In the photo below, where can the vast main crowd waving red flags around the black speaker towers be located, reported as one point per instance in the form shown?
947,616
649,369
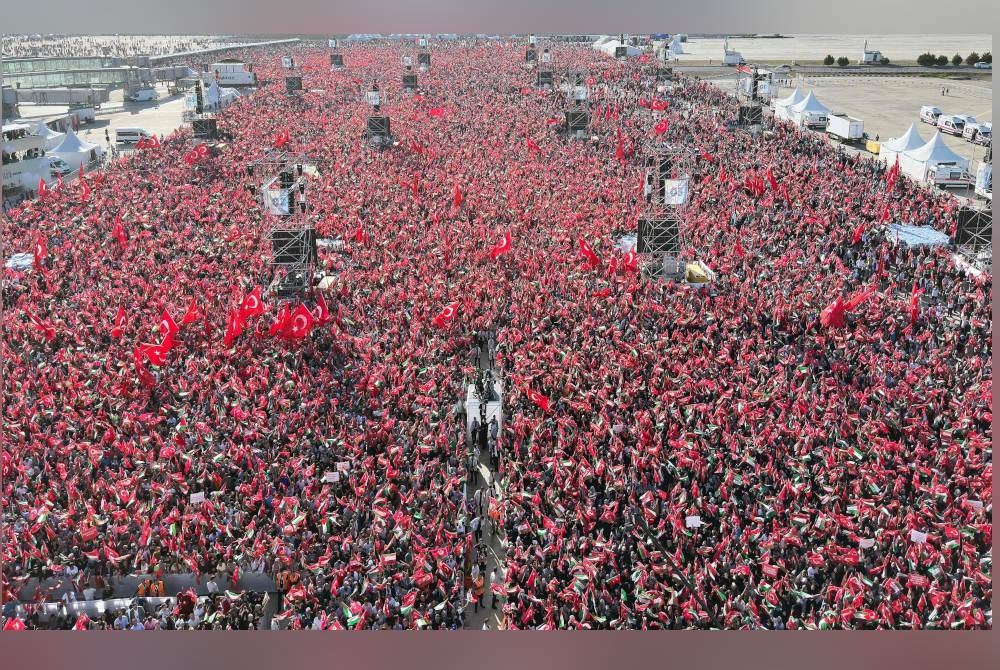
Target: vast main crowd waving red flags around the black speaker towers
805,443
